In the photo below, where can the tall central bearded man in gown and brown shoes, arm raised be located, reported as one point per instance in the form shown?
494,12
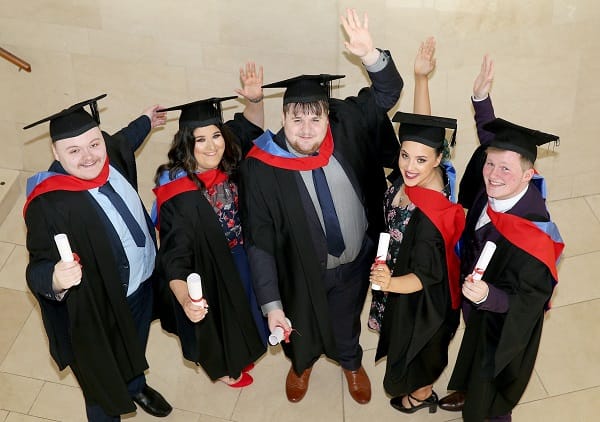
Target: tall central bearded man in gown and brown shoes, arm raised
312,197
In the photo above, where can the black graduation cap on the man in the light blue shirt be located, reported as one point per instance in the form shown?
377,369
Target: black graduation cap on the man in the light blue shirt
72,121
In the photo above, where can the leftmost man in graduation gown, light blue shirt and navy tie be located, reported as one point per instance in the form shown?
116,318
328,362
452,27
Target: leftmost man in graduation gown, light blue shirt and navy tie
96,309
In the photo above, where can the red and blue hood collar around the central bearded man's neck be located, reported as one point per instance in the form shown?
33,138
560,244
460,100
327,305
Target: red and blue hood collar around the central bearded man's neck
267,150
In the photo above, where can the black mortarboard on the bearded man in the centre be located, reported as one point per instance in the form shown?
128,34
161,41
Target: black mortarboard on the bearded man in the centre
306,88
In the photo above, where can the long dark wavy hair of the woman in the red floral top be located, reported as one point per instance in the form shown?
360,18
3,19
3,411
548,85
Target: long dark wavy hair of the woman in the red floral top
181,155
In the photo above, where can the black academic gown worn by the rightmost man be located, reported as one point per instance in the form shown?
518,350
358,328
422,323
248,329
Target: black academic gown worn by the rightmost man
498,350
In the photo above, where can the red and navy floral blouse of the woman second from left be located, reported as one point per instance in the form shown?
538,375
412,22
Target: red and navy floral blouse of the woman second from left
224,199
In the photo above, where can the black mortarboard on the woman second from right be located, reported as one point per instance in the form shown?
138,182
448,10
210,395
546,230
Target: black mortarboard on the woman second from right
428,130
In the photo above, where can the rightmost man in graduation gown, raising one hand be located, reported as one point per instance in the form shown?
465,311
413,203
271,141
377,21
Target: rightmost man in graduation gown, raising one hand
504,312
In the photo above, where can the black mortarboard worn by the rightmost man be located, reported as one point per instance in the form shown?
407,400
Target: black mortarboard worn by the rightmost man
517,138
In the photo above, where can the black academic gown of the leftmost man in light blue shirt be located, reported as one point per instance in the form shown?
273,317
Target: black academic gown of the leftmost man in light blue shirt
92,329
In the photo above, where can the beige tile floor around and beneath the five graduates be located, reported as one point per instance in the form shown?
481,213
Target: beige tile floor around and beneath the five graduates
547,66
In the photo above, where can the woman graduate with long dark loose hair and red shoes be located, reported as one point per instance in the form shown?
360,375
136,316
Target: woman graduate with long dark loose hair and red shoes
200,232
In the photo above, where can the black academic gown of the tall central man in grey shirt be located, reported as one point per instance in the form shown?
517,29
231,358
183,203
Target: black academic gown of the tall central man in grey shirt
280,221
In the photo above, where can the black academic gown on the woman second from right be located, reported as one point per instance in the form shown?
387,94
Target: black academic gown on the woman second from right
418,327
